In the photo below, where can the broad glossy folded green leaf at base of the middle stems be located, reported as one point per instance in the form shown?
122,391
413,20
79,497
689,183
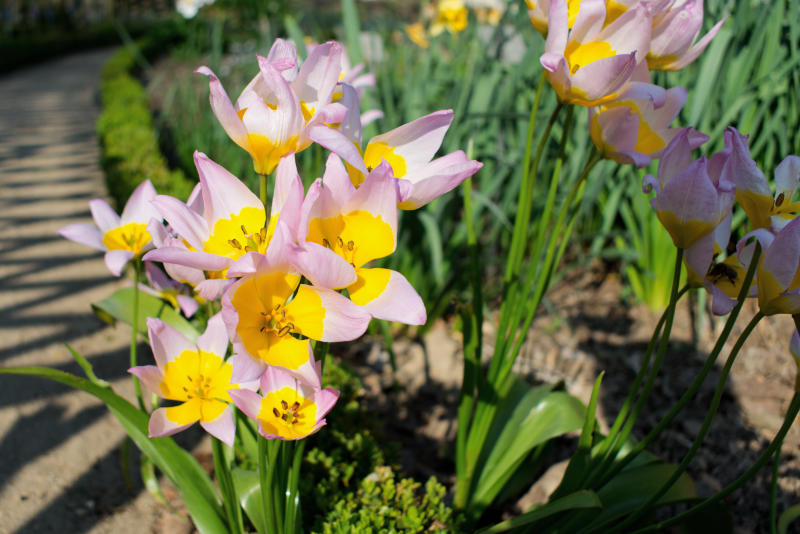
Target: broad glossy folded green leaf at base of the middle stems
526,417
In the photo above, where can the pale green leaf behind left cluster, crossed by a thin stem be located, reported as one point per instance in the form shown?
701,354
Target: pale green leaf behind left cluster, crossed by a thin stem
118,307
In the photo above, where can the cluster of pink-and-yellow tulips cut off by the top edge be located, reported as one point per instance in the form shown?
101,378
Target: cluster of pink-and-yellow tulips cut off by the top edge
599,53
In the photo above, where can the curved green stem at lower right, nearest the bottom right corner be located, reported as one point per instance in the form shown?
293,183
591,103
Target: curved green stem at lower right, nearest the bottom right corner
701,435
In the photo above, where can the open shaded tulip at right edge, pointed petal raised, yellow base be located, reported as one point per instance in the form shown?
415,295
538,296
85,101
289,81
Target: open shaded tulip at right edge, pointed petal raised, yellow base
764,209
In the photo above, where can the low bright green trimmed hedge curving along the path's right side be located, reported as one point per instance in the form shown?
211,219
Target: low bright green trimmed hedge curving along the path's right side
129,142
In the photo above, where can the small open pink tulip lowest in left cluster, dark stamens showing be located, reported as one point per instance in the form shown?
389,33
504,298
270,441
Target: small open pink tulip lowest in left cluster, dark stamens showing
287,408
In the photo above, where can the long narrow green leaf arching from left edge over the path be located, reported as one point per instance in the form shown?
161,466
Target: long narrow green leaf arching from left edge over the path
196,489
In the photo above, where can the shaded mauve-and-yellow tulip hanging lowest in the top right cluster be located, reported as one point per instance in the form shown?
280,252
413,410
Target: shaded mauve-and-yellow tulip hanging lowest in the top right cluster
635,129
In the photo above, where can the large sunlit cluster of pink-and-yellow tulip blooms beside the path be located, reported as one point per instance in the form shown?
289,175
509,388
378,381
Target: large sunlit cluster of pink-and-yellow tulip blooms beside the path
282,277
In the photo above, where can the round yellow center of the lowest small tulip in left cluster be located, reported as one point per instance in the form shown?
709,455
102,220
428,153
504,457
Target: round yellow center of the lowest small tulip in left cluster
287,414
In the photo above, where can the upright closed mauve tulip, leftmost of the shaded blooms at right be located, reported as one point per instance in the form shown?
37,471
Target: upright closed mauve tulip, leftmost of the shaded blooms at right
692,197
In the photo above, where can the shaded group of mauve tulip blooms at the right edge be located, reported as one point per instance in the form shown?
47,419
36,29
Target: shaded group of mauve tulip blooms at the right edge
694,202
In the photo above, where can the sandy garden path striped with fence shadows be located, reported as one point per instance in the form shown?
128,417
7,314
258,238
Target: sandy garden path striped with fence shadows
59,449
